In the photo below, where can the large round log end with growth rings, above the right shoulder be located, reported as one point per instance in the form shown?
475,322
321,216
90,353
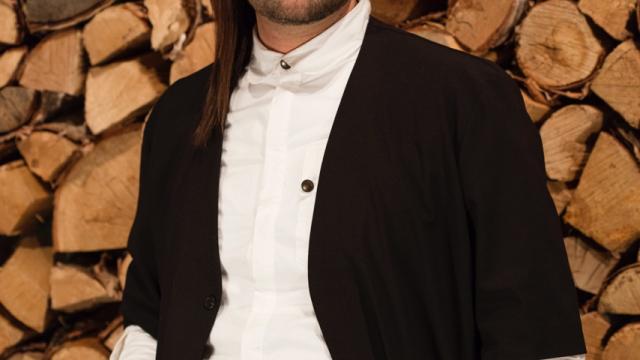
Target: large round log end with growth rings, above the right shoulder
556,48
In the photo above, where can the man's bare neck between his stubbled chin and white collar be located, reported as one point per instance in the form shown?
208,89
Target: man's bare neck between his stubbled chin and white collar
284,38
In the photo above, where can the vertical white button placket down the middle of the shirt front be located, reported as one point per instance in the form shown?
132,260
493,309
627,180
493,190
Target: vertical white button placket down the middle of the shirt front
263,253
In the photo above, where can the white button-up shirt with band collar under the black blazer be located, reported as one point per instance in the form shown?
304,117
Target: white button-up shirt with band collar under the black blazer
277,128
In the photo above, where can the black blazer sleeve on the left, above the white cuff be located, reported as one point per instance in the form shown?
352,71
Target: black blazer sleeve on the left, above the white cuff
141,296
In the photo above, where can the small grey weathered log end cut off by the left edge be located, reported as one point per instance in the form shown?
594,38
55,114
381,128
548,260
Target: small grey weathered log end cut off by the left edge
17,105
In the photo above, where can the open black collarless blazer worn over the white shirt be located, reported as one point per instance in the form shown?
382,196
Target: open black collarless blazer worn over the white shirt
433,234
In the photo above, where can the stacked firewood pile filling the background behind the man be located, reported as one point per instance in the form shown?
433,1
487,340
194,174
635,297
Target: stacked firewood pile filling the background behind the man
78,78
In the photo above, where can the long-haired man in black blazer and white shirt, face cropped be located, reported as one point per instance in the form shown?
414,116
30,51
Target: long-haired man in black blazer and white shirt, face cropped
335,188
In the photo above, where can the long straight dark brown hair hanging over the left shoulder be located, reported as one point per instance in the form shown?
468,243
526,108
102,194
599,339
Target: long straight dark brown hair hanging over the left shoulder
234,23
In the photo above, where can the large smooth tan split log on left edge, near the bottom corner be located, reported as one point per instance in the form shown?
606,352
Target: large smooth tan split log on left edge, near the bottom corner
25,283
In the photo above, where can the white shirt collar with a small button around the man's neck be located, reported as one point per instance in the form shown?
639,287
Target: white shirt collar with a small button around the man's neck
316,58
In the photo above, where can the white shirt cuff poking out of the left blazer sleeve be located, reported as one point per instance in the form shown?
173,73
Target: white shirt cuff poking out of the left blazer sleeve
134,344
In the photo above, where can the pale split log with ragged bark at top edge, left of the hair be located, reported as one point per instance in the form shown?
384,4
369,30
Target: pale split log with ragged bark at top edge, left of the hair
172,21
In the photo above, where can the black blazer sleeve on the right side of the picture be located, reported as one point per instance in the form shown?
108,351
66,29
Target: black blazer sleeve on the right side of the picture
524,297
